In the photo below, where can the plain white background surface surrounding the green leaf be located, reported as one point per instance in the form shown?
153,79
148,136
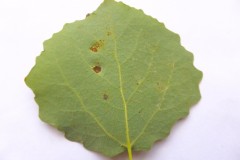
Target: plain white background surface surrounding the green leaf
208,28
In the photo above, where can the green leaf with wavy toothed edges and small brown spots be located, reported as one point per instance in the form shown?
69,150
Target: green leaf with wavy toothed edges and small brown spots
116,81
